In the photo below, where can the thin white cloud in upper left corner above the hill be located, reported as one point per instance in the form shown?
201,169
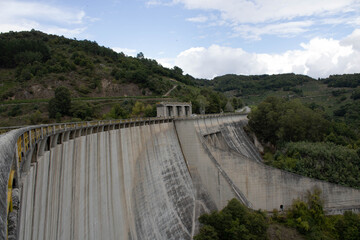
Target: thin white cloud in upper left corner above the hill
20,16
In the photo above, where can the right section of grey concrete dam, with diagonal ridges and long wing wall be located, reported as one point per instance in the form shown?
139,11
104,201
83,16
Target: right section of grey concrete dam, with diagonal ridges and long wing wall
226,163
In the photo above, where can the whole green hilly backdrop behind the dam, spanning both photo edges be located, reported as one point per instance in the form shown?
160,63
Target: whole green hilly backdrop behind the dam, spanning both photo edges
33,64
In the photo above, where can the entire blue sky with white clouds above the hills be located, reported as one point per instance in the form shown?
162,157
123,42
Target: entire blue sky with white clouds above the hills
208,38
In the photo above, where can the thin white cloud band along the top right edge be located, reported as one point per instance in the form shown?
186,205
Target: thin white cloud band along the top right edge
258,11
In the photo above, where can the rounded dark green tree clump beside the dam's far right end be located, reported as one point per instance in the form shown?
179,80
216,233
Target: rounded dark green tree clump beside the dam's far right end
277,120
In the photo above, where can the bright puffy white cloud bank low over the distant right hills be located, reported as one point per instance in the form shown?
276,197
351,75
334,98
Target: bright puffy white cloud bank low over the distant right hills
320,57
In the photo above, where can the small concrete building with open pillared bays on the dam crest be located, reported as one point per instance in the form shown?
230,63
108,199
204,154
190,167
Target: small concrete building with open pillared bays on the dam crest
173,109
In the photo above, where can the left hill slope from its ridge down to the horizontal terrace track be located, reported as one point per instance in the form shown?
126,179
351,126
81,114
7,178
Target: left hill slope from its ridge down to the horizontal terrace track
32,64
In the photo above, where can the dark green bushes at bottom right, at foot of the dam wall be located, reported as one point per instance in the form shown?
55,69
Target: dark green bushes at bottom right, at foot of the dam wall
236,221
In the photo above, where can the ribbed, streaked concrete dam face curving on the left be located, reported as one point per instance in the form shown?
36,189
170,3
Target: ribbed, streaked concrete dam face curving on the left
130,183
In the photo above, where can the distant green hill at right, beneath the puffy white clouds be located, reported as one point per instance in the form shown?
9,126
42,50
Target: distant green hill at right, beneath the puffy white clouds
336,95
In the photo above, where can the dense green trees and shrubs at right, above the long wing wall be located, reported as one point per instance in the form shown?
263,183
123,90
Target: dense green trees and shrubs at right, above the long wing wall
307,142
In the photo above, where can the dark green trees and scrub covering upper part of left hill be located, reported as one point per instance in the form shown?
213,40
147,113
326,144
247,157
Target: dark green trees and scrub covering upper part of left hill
36,55
